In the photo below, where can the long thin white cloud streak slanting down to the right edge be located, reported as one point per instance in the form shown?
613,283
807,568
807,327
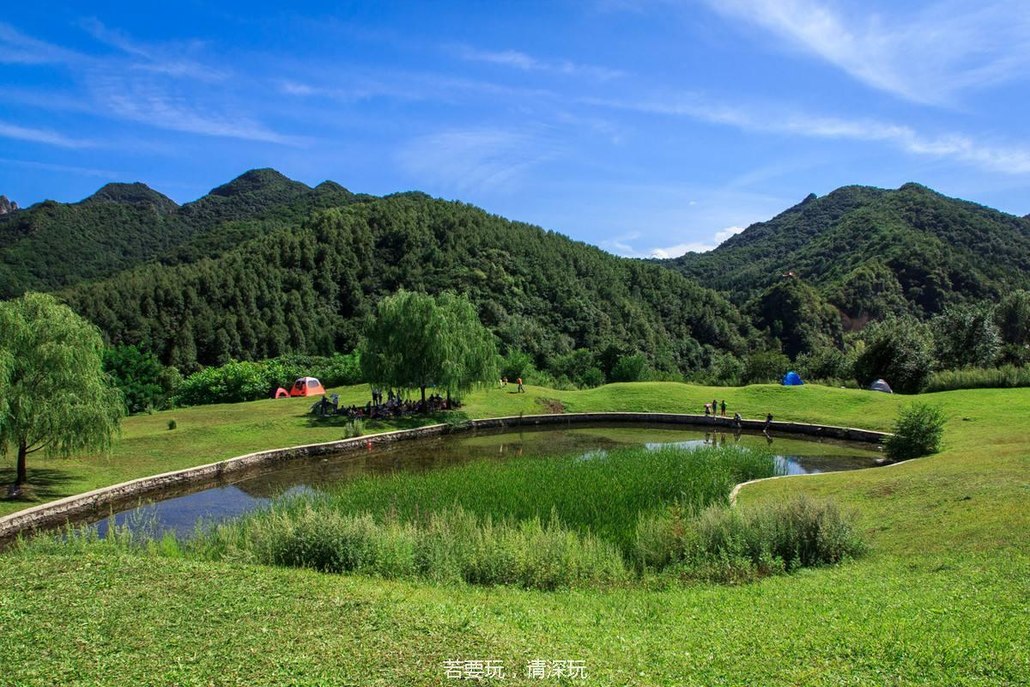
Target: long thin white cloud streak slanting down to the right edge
1005,158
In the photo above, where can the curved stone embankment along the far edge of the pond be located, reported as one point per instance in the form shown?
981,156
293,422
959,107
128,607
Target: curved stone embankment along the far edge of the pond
105,500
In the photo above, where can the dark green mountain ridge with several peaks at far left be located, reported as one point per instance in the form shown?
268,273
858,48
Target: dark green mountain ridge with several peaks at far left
51,246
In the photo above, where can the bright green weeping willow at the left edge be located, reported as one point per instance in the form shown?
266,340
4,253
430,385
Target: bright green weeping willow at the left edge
58,397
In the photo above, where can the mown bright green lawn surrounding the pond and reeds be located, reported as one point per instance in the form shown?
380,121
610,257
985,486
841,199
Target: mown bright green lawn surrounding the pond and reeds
941,600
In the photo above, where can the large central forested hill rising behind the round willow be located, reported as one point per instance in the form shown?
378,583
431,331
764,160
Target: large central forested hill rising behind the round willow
308,288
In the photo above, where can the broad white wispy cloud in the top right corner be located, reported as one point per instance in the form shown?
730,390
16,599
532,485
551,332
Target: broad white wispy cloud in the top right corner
929,58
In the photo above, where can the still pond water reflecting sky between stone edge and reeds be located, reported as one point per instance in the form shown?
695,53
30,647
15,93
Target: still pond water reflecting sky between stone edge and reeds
182,512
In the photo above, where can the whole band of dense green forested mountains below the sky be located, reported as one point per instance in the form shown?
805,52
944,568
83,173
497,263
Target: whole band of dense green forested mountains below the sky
862,284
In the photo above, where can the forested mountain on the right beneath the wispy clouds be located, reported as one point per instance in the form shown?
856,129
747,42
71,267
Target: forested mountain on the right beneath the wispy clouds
870,252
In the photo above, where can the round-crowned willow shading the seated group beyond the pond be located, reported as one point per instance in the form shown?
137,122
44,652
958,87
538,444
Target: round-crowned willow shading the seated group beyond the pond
418,341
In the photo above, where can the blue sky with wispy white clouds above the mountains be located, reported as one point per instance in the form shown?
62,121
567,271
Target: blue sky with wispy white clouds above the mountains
646,128
